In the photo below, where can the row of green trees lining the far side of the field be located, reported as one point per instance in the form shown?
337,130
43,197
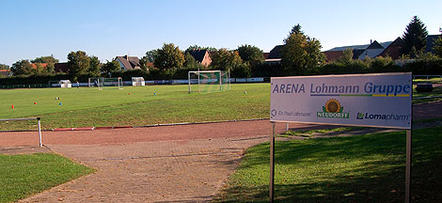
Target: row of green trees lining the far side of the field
300,54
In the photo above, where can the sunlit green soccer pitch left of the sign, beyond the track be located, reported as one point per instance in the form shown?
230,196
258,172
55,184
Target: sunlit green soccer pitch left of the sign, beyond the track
83,107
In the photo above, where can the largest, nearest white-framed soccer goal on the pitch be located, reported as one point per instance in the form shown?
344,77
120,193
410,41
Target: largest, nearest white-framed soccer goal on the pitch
208,81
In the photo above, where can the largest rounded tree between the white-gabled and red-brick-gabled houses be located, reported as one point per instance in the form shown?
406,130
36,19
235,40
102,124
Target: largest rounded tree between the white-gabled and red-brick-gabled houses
169,57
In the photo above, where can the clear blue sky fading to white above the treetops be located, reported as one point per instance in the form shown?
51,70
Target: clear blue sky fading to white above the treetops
107,28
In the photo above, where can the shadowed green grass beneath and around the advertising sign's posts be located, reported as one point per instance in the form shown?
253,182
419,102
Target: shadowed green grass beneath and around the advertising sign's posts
367,168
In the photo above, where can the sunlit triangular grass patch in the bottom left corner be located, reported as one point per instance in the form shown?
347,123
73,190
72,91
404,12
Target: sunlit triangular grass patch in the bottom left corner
24,175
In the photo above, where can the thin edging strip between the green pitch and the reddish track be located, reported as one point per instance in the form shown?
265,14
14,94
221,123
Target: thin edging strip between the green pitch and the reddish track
137,126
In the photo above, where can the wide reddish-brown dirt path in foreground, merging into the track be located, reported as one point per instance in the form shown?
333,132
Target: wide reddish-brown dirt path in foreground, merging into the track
162,164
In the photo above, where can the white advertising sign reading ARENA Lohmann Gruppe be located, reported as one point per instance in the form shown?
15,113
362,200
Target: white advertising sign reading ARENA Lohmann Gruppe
376,100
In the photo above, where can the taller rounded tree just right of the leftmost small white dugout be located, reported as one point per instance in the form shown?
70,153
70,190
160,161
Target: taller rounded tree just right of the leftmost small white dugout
78,63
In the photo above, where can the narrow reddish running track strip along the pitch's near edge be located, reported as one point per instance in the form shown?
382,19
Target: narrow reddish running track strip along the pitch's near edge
149,134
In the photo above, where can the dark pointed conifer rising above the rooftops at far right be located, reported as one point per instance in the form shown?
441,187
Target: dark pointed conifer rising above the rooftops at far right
415,35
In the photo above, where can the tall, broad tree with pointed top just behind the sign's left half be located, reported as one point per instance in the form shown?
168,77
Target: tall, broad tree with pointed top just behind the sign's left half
301,53
